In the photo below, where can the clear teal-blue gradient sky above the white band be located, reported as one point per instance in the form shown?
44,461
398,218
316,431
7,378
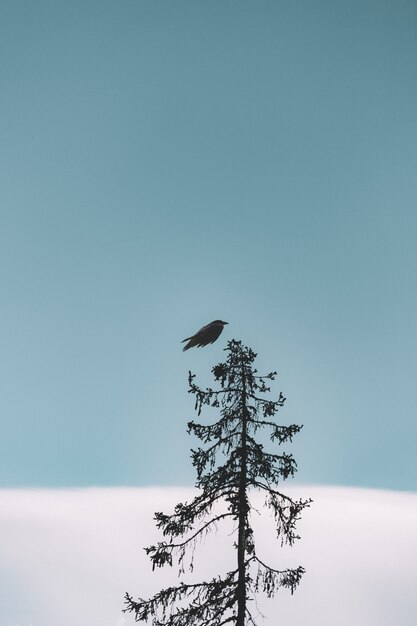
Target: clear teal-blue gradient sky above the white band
164,164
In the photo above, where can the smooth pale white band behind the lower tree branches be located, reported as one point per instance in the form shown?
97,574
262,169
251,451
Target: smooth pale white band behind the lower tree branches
68,556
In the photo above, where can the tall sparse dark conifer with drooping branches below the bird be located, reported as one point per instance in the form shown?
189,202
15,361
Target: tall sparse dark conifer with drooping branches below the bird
231,464
